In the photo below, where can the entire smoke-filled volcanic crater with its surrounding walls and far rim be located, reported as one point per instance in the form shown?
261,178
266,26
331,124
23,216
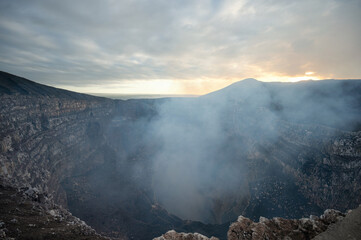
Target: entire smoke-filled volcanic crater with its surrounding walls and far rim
131,168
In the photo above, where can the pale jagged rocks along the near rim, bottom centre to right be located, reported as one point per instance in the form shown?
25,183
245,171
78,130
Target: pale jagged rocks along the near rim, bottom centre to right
331,225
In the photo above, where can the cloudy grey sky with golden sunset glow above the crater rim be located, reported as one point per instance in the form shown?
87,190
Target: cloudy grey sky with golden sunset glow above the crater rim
178,47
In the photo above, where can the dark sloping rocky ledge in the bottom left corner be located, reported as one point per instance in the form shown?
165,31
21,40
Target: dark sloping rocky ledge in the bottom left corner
28,213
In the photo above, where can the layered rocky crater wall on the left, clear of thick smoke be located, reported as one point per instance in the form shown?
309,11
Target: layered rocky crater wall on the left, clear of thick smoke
47,135
